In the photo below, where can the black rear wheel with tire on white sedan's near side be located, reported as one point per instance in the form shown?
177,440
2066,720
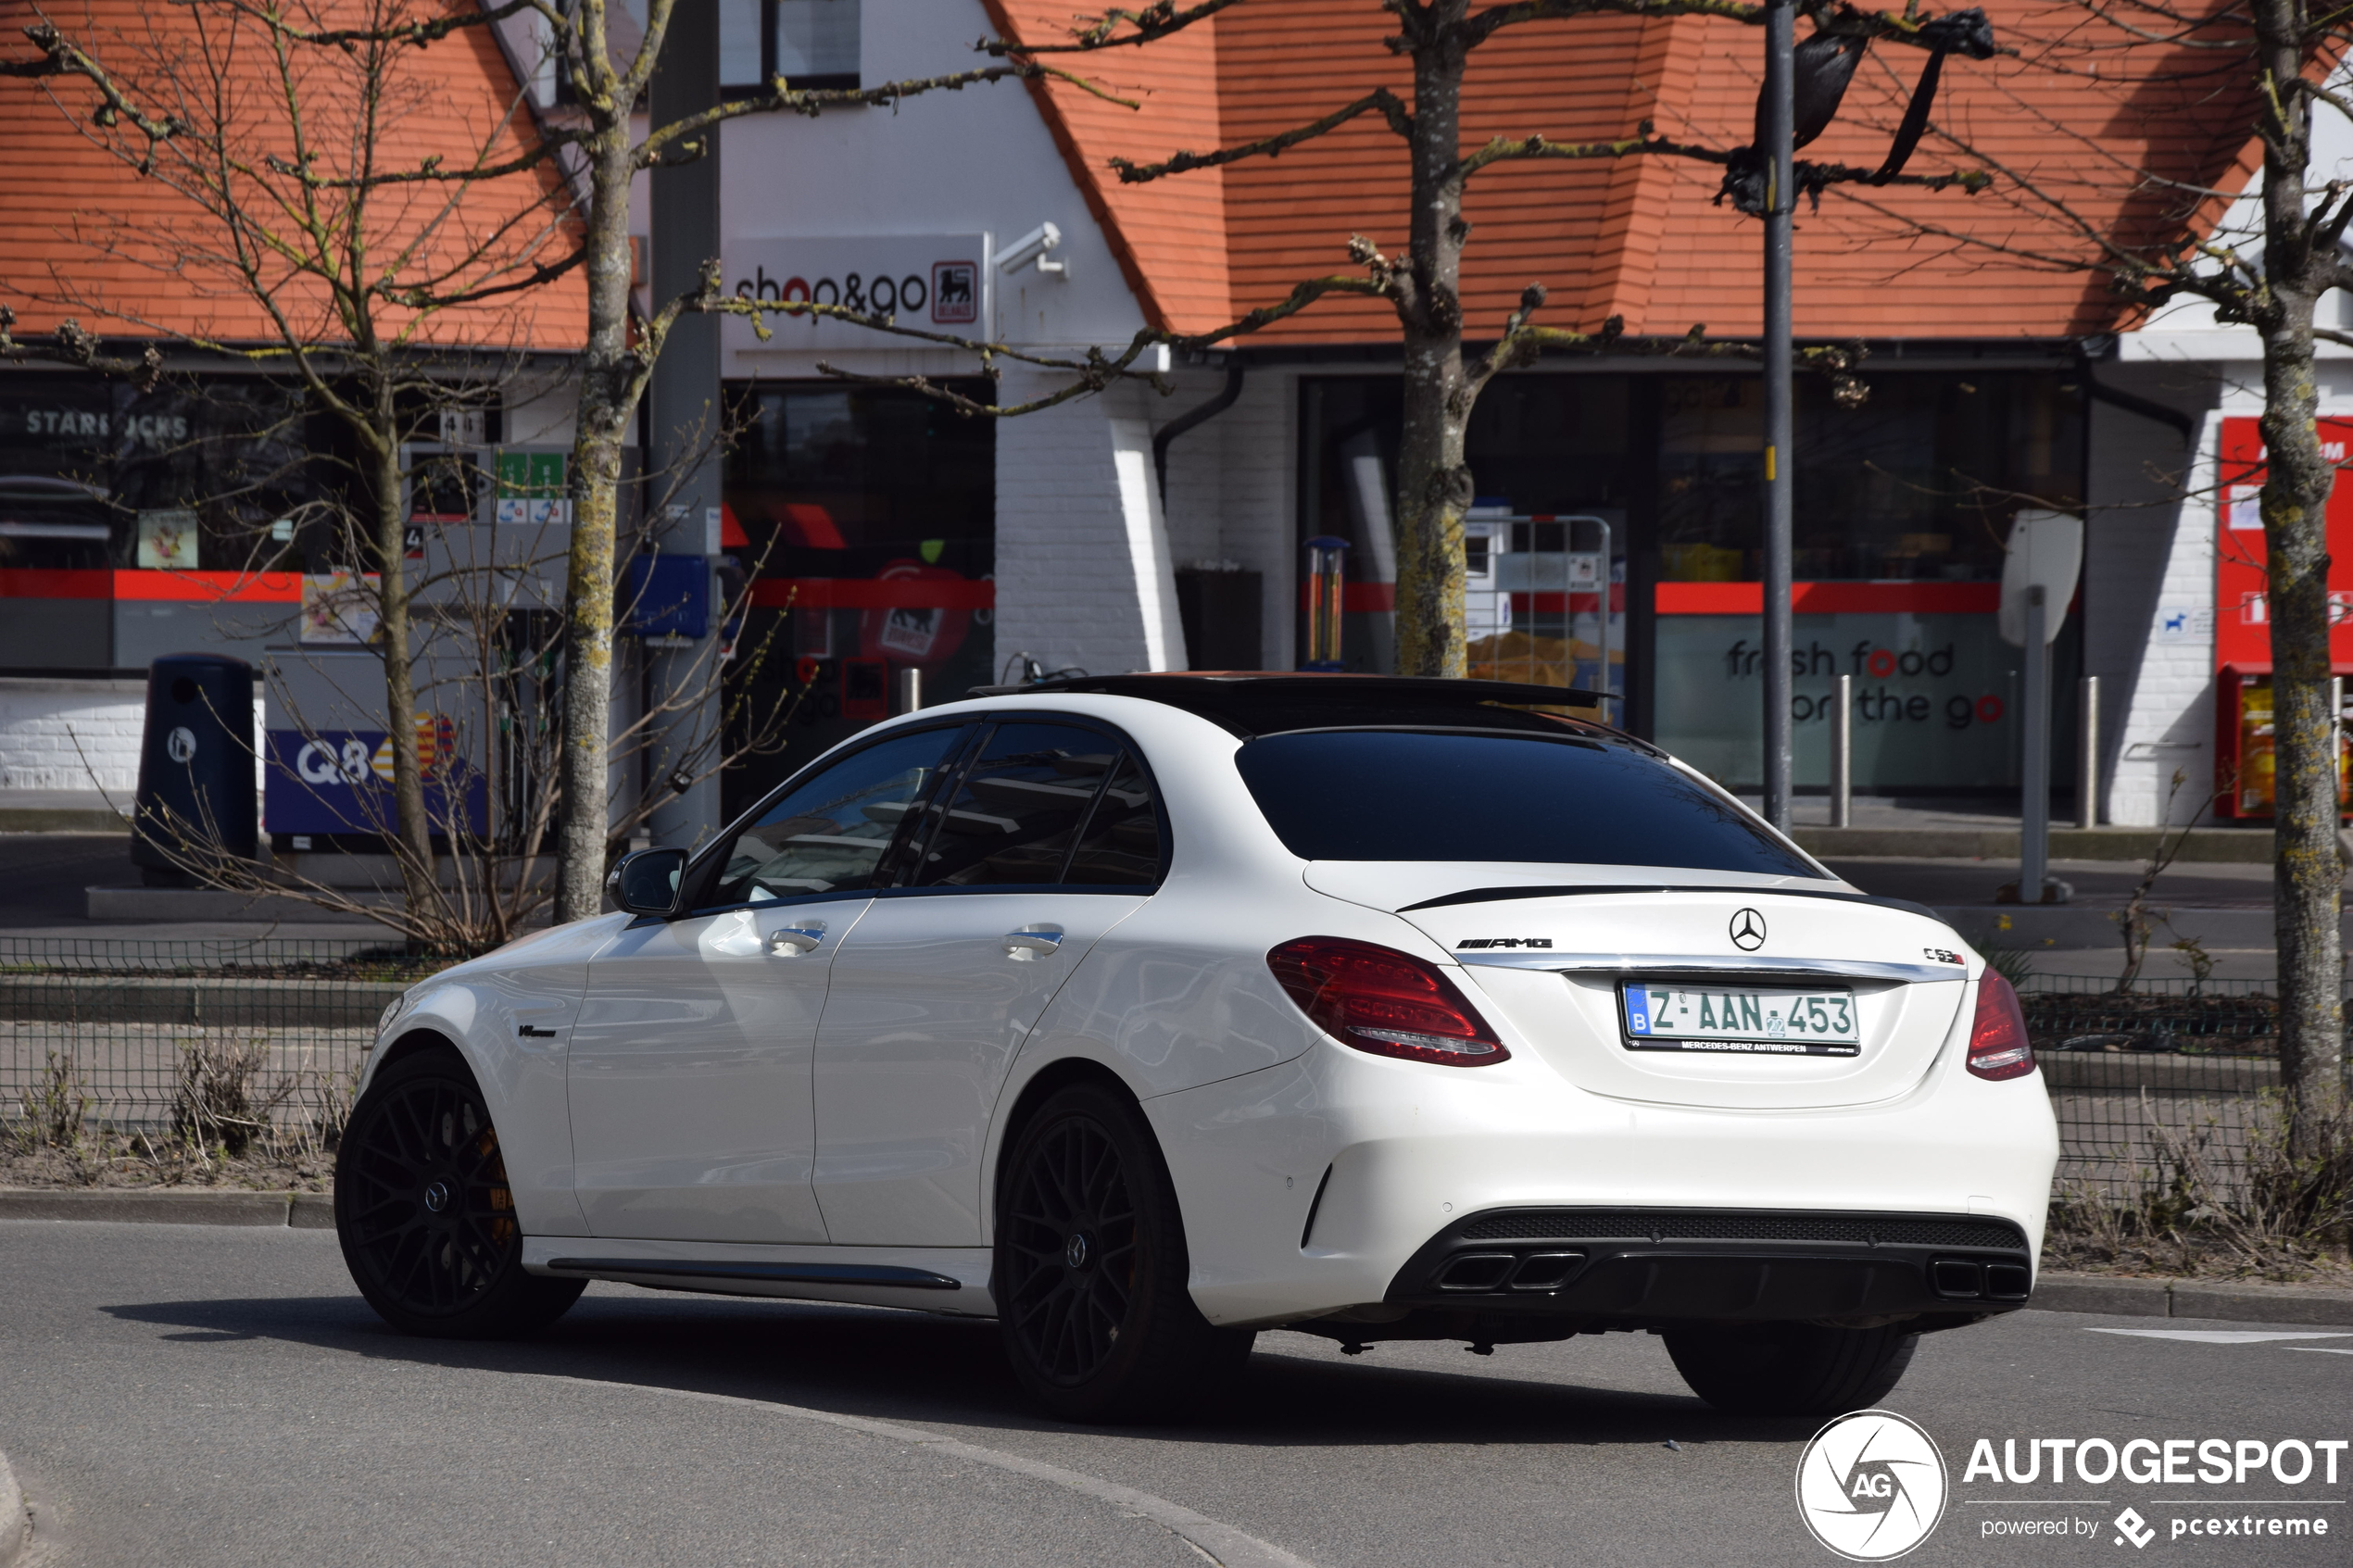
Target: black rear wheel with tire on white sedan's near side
1091,1271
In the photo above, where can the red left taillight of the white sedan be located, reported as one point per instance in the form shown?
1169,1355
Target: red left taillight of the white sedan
1385,1003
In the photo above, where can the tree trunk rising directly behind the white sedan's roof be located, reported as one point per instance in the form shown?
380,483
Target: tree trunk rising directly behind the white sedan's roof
1434,485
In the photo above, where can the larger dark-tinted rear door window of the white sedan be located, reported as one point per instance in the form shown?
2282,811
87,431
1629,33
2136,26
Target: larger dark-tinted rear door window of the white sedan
1018,808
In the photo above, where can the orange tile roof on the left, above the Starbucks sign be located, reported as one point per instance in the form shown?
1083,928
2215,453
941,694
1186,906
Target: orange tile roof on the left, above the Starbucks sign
131,255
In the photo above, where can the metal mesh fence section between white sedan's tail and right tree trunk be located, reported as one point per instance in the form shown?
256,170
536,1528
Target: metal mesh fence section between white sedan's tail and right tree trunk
2135,1078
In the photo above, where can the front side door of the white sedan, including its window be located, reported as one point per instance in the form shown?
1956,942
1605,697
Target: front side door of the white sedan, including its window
691,1066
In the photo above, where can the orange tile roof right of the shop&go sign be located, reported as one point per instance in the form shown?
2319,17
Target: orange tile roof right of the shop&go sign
1637,239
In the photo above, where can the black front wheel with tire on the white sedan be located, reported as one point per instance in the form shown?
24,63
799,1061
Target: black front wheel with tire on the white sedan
425,1209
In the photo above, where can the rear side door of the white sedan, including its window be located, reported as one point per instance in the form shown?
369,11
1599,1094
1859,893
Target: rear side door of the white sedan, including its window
1044,843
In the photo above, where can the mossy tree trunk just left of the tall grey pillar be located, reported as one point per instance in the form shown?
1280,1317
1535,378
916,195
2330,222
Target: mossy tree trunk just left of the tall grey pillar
611,380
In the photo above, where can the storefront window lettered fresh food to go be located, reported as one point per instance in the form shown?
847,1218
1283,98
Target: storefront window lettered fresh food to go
1902,514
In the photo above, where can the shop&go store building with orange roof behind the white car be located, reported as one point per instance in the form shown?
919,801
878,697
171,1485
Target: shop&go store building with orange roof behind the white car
1149,532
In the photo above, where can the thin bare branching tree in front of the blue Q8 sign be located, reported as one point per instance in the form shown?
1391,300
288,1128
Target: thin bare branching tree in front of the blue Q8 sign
378,288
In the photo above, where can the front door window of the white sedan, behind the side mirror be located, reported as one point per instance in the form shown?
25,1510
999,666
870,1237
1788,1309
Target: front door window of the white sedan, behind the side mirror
834,831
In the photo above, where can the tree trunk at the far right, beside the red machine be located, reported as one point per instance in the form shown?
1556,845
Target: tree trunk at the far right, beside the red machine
2298,483
